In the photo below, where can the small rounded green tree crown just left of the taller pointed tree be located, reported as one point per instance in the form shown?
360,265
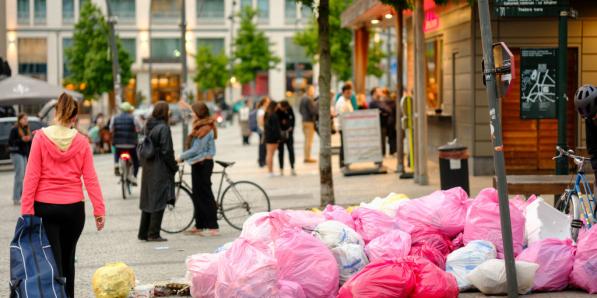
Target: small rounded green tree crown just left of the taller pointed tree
212,69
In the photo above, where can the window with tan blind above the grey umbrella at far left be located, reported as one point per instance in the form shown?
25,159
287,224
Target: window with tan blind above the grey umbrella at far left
33,57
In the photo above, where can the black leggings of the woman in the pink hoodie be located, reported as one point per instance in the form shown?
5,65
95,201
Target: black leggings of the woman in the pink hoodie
63,225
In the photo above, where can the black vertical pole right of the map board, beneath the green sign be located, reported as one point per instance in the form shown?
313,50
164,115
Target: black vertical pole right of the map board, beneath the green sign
562,162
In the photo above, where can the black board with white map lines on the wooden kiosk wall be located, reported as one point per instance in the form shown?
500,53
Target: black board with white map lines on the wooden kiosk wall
538,83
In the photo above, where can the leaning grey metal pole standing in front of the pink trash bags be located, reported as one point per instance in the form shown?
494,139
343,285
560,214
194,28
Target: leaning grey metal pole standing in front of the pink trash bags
498,153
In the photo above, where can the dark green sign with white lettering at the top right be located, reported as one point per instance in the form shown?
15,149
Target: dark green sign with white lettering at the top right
529,8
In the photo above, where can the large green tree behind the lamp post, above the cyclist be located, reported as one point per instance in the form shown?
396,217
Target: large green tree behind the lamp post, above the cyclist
89,59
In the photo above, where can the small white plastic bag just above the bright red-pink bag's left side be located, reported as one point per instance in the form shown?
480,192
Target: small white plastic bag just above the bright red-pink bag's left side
350,258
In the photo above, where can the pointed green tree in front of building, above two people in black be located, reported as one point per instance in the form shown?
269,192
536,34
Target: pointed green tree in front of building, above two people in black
252,50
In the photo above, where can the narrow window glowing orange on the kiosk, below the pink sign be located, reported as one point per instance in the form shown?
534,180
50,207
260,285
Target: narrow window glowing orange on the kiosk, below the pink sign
433,74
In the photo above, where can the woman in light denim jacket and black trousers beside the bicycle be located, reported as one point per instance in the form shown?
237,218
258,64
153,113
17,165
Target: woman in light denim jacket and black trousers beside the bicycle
202,149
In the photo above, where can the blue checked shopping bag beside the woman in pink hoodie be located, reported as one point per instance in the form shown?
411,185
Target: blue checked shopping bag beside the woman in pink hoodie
33,271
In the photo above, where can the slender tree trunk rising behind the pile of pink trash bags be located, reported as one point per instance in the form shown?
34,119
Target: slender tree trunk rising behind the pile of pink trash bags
325,76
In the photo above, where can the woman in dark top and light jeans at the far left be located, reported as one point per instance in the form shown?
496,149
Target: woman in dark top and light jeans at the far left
19,144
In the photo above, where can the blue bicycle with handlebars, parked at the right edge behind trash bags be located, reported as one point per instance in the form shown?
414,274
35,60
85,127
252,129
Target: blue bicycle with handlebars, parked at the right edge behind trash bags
578,198
